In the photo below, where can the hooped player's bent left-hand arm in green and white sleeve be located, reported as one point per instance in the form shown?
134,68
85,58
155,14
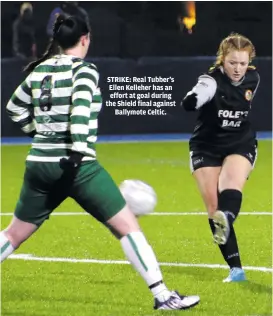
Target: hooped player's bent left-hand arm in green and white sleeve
18,108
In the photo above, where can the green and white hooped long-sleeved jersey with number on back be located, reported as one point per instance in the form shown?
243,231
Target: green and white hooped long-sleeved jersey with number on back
61,101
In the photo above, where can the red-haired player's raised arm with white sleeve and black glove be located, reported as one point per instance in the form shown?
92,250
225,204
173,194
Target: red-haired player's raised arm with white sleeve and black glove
200,94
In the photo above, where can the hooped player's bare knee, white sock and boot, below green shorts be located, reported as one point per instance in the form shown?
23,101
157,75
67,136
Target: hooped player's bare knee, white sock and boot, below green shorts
141,255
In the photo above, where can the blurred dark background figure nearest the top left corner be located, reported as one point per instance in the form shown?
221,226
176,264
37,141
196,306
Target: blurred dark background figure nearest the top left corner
23,33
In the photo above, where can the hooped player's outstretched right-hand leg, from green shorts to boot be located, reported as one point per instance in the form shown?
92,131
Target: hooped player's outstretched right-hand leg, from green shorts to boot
99,196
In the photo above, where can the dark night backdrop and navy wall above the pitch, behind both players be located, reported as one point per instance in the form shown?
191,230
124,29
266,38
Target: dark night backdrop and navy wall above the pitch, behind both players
145,38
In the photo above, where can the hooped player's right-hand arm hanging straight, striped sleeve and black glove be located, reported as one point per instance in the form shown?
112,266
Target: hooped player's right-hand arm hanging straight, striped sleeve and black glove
85,82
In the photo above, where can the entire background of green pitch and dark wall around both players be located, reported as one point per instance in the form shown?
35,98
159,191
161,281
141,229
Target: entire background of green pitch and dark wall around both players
73,266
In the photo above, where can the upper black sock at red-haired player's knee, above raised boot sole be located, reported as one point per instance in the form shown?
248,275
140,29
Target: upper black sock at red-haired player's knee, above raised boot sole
229,202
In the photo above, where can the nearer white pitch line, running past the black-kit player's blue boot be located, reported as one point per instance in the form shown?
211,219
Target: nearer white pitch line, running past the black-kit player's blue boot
29,257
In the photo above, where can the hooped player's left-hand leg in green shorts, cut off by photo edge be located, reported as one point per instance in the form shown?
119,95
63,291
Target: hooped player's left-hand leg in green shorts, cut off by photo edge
43,189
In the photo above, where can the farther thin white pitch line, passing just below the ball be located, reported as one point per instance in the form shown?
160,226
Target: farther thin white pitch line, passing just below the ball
152,214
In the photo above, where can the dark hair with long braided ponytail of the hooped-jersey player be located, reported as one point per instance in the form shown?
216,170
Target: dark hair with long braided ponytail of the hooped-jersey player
67,31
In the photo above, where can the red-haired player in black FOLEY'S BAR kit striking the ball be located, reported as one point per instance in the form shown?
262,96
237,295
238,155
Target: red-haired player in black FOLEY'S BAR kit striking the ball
223,147
